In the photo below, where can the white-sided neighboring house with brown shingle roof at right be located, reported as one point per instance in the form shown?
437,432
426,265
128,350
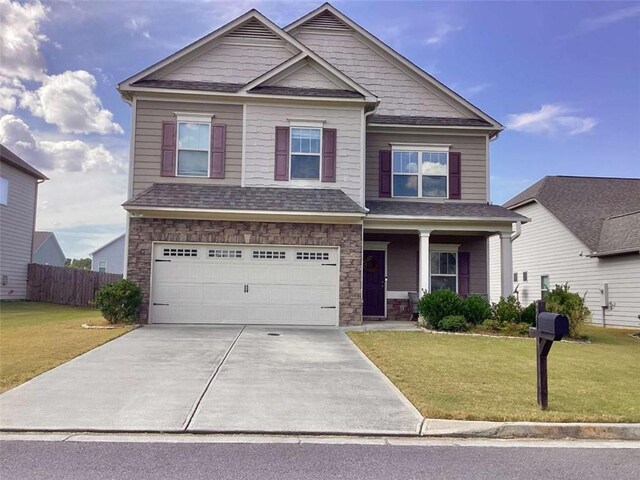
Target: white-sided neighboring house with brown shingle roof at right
584,231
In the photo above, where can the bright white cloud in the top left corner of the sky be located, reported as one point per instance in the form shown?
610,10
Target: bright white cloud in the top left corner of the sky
20,39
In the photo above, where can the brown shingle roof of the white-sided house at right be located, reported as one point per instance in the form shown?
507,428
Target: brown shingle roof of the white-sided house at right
587,206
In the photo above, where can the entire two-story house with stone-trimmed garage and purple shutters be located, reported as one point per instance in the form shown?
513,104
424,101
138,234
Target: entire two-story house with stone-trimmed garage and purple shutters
304,175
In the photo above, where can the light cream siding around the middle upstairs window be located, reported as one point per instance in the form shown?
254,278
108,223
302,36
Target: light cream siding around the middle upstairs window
262,121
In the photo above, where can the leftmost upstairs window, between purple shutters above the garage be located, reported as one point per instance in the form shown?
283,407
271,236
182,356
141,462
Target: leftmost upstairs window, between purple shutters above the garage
193,148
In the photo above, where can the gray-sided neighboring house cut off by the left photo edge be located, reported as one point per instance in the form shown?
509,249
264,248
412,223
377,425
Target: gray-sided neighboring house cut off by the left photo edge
18,199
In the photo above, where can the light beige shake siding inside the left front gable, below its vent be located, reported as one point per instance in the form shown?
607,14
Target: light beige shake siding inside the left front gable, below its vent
230,61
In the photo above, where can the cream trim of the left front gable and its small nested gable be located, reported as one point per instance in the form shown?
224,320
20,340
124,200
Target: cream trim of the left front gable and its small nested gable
252,20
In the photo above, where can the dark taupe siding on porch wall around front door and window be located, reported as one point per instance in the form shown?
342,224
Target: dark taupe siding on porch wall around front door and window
402,261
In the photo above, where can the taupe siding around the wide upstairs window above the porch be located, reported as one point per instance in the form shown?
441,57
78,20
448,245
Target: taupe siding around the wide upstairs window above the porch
473,154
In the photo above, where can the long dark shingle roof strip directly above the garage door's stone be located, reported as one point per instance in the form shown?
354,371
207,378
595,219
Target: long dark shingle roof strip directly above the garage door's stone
213,197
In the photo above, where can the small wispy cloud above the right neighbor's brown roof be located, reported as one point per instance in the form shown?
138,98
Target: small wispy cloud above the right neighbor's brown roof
551,119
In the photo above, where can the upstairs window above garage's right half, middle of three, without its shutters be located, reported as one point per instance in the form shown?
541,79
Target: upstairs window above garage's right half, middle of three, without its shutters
305,153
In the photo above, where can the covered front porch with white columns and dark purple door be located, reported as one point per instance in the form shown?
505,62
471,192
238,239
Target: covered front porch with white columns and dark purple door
400,260
